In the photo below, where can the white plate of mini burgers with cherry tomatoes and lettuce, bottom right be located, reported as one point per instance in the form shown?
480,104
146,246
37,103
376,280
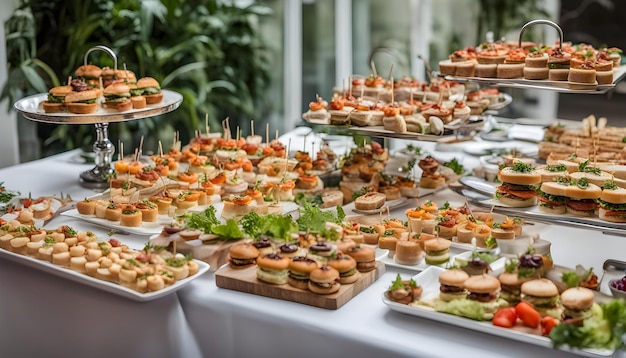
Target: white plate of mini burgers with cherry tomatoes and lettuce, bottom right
478,305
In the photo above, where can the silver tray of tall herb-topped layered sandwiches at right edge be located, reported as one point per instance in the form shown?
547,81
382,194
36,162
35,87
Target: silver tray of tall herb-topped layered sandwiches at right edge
572,198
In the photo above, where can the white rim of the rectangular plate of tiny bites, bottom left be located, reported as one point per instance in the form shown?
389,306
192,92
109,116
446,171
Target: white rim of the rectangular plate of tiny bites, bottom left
100,284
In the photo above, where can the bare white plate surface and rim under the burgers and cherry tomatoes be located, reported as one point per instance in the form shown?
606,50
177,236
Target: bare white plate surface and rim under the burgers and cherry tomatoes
429,281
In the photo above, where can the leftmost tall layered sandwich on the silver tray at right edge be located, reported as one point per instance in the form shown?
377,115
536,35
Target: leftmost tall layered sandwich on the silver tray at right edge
519,184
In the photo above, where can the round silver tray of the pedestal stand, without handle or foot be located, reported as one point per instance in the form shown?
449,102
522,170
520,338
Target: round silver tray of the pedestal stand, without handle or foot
31,107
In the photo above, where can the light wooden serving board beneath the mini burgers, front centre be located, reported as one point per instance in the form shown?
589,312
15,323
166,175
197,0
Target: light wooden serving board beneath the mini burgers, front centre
245,280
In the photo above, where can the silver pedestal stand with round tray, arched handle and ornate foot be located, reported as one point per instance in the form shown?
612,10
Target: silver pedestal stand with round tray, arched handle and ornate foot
97,177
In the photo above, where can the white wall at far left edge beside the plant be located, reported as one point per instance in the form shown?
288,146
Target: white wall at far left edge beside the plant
8,135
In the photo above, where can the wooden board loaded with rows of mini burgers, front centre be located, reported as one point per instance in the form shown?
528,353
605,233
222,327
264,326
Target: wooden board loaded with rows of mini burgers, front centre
314,277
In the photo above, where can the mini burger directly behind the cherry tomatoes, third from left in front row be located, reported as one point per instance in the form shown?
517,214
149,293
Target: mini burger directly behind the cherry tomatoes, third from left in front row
543,295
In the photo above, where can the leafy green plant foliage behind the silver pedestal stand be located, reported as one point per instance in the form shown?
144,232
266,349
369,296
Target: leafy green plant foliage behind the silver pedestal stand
208,51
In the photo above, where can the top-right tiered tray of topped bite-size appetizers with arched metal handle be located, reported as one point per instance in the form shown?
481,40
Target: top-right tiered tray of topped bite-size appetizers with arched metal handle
562,67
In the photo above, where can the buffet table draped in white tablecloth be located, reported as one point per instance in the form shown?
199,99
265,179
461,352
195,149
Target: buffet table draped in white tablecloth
43,315
